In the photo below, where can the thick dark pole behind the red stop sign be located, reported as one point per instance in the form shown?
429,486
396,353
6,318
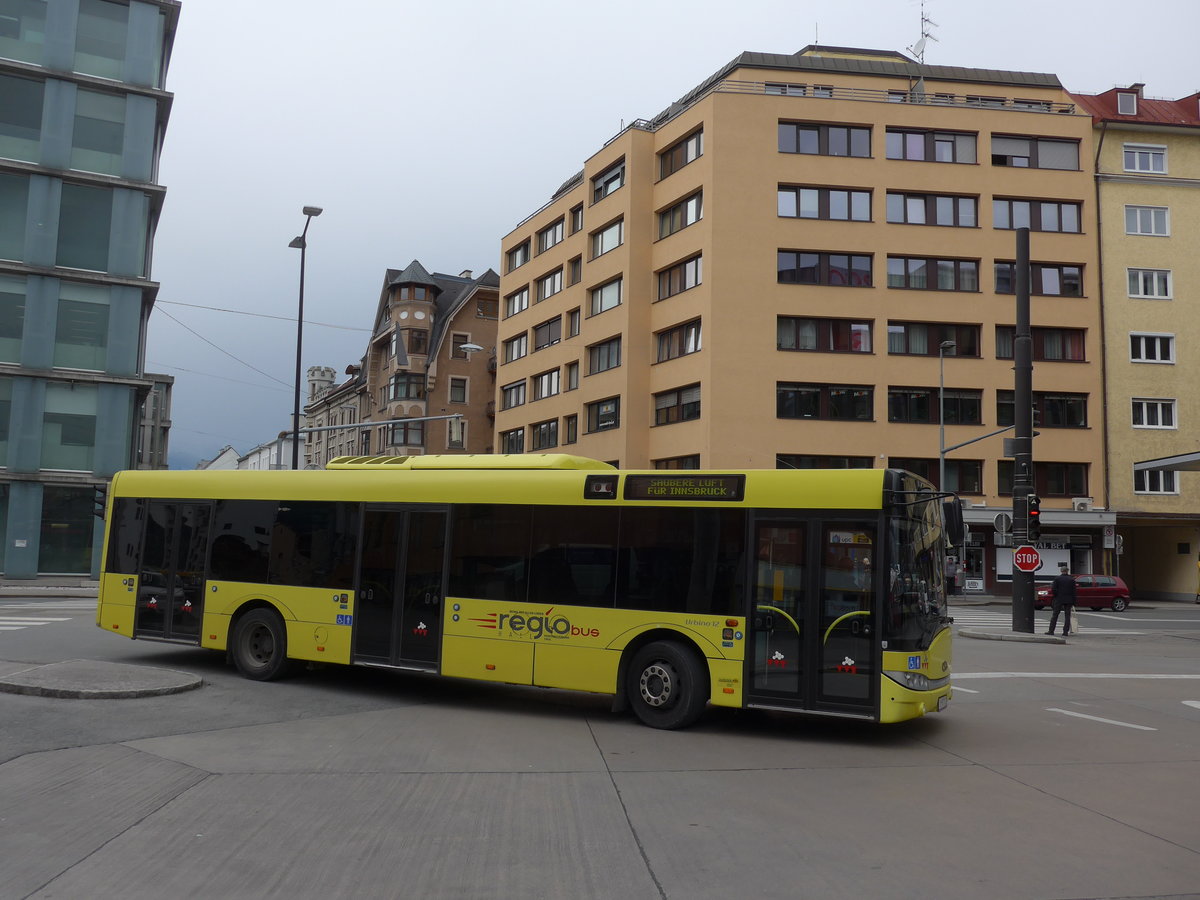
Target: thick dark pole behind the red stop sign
1023,431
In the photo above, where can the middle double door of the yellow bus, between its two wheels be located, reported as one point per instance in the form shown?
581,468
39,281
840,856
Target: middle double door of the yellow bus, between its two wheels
398,620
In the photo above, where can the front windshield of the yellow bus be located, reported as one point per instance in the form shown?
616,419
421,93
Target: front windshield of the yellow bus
916,598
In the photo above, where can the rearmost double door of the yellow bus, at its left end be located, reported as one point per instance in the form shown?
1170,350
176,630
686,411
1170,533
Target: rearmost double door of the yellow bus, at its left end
171,579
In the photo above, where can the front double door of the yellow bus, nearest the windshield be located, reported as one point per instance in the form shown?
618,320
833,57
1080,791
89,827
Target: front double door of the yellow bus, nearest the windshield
812,628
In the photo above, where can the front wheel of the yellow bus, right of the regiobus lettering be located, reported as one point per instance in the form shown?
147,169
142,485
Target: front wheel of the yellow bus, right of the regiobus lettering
668,686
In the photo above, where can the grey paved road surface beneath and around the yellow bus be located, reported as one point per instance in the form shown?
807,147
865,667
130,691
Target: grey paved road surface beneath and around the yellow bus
1059,771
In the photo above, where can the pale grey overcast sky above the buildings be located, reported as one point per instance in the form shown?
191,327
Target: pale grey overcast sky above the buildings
430,130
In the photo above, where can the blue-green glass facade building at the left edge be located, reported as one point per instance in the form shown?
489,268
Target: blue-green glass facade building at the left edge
81,131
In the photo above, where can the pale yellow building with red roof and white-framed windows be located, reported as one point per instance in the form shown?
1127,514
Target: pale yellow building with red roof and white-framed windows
1148,183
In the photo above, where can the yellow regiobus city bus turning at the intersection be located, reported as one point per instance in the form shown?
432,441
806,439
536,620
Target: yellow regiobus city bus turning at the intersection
815,592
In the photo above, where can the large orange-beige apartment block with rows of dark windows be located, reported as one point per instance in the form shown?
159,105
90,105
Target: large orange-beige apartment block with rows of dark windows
793,263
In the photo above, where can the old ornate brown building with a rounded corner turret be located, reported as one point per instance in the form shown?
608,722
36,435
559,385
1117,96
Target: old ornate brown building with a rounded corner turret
431,356
